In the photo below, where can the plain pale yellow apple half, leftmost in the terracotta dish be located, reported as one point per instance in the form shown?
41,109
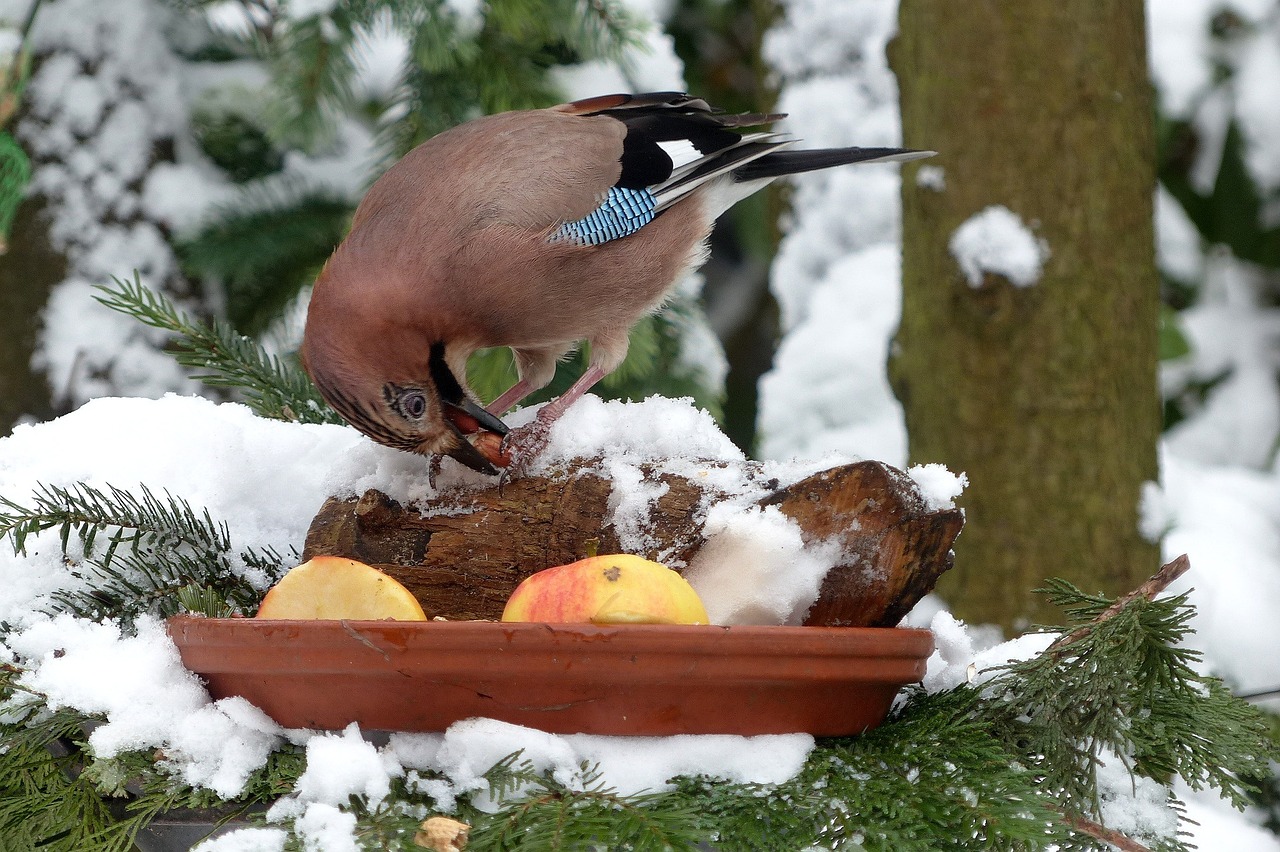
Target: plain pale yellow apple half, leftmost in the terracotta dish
337,588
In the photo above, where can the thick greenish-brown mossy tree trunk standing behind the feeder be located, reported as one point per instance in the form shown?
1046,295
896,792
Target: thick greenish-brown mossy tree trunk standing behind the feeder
1045,396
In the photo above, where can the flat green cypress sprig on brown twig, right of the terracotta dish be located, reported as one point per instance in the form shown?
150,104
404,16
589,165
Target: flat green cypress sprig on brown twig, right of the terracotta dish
1128,686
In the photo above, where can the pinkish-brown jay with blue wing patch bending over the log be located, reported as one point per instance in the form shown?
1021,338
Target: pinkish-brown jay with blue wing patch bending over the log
532,230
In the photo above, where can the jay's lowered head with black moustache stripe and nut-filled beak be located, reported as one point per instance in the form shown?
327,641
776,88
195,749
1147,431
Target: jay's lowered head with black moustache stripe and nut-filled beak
432,414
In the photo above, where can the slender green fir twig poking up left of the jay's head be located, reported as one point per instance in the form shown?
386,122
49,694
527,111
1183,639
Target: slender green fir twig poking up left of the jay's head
272,387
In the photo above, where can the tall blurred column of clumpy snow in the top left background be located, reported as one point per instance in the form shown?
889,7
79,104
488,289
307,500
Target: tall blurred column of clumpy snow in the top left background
106,94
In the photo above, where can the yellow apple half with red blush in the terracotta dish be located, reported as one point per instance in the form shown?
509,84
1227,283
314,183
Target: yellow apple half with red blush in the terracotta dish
607,590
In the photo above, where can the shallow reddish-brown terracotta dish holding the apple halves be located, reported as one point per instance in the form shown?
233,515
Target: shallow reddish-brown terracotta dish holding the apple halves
564,679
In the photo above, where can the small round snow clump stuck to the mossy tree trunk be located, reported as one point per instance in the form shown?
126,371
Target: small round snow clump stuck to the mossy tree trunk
996,241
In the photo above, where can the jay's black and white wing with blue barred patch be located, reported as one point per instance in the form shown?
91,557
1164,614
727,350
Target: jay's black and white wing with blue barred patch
674,145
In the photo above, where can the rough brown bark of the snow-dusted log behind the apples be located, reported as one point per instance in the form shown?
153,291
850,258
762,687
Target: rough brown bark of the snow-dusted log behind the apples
463,556
